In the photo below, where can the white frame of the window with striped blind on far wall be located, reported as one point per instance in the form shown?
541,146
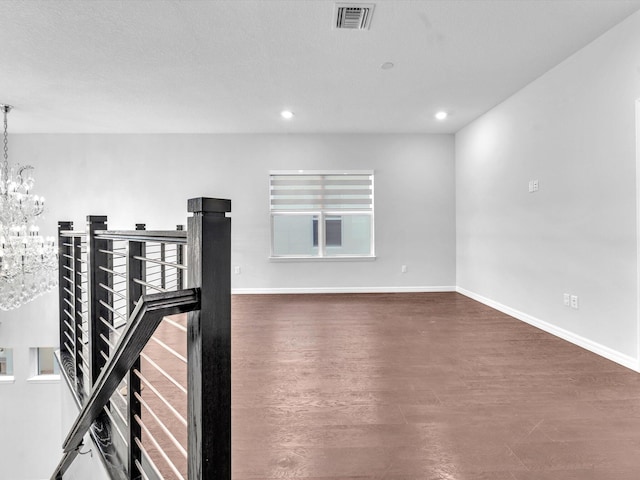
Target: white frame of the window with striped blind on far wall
322,215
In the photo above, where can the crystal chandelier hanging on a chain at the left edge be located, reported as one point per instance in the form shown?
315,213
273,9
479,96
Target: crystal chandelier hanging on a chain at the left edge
28,262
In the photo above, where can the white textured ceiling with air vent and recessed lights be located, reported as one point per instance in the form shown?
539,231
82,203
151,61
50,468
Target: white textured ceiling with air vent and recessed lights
232,66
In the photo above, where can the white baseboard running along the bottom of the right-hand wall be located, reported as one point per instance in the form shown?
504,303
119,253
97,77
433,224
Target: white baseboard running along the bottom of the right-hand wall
603,351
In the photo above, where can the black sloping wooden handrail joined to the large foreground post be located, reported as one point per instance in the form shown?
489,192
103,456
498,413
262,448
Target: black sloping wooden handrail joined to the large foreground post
142,324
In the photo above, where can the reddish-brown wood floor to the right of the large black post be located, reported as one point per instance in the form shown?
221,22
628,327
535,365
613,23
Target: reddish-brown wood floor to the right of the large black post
421,386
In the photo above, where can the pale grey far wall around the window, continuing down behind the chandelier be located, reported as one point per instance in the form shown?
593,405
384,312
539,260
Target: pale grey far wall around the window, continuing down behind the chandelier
148,178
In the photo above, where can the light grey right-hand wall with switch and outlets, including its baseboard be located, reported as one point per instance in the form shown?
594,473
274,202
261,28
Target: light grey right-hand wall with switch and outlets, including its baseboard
573,130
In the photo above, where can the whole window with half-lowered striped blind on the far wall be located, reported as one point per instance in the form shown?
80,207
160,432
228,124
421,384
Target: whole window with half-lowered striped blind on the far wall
321,214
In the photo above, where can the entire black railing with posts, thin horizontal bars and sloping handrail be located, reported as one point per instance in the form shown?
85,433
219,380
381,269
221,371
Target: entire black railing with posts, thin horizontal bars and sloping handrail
152,422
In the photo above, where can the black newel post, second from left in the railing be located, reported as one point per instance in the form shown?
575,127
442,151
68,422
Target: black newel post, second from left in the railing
96,276
